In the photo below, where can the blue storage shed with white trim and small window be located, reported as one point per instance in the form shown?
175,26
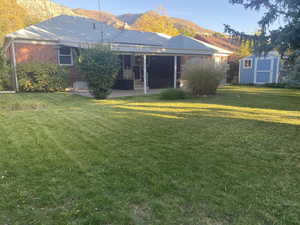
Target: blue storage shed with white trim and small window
262,69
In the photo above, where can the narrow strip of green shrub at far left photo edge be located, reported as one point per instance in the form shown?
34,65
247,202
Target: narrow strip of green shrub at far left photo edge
5,78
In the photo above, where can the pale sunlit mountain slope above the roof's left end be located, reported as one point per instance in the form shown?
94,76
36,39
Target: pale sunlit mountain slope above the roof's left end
44,9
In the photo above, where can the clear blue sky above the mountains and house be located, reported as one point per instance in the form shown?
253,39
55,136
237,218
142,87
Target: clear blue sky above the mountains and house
211,14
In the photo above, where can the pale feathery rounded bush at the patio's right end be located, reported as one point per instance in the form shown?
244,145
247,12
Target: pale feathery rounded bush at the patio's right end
203,78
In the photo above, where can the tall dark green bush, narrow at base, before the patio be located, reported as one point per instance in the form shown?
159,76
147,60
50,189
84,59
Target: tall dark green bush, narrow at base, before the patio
101,66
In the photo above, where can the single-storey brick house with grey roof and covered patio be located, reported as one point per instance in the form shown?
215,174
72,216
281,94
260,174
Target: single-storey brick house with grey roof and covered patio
149,60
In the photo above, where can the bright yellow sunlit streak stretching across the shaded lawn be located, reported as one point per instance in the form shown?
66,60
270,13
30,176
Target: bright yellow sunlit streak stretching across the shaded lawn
184,110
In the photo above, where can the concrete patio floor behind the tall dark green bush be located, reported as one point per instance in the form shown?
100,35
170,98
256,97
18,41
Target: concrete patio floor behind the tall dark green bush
121,93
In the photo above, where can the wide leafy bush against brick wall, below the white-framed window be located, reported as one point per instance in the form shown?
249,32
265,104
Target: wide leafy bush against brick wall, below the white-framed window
41,77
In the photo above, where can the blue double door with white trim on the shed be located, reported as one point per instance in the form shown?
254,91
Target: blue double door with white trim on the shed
264,71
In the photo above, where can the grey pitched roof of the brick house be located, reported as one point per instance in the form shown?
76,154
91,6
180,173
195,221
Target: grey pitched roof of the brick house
75,31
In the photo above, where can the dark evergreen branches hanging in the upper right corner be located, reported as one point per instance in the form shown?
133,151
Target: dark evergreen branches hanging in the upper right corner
286,38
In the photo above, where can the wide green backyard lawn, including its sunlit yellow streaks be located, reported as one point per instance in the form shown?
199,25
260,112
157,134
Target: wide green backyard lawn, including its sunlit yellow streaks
233,158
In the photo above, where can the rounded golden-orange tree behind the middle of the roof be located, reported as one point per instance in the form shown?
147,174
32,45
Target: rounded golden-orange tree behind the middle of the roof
153,21
